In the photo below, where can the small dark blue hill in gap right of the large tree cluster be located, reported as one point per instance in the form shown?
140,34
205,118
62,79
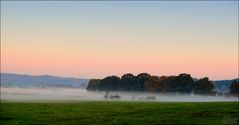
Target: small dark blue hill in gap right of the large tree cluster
223,86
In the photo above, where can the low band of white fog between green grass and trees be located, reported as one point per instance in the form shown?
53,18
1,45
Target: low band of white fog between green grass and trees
71,95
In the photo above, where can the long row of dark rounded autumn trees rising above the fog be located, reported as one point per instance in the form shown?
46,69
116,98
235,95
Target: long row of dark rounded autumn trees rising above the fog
183,83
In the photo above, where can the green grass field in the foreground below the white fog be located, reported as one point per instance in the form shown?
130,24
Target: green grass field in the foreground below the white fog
107,112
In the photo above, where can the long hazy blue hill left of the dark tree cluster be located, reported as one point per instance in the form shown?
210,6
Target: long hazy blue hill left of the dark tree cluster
17,80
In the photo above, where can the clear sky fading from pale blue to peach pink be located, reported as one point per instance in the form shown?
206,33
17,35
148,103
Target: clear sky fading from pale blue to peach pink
96,39
